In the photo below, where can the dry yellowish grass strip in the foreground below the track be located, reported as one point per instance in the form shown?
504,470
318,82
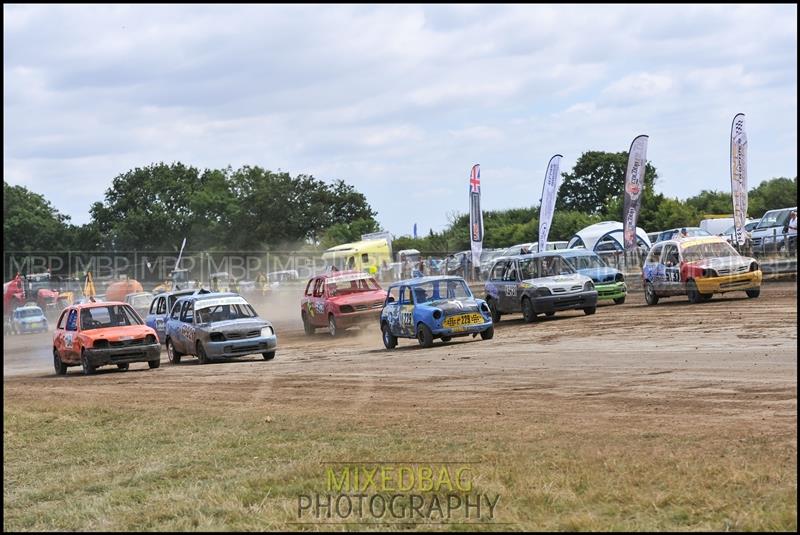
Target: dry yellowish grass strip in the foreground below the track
158,468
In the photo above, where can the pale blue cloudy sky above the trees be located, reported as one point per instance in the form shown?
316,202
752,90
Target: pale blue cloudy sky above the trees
399,101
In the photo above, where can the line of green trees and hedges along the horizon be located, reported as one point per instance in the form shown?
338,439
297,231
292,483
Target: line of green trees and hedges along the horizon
251,208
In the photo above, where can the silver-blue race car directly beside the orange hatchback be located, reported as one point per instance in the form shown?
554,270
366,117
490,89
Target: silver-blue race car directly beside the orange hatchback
217,325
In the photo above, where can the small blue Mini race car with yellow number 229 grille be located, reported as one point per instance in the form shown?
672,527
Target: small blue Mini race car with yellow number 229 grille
433,307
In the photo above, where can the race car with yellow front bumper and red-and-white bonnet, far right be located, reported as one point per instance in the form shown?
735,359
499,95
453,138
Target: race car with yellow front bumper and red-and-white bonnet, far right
698,268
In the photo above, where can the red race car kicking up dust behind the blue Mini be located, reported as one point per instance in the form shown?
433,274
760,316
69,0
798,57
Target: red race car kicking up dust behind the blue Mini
340,300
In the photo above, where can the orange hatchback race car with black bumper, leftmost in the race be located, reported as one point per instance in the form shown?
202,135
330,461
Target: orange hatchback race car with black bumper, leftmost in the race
99,334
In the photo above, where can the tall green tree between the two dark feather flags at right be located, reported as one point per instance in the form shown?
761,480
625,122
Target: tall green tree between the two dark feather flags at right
598,179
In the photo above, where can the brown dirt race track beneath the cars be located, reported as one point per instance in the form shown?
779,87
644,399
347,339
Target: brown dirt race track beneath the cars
733,357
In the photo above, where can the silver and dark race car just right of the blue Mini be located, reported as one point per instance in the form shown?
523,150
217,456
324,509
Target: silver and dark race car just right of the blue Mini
538,283
